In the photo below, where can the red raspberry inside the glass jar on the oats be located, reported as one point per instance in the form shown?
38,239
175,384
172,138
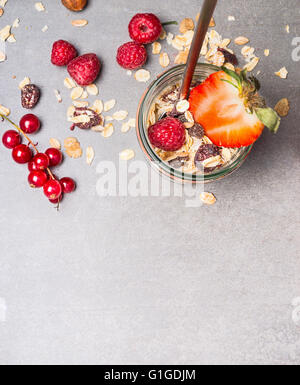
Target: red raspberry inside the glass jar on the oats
168,134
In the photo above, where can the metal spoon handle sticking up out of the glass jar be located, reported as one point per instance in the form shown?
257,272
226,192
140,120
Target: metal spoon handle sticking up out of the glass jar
199,37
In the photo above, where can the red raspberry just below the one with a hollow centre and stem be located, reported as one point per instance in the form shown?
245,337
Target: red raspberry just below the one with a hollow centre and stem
132,56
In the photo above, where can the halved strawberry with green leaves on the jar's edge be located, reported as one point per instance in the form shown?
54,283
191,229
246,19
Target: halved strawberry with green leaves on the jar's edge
230,109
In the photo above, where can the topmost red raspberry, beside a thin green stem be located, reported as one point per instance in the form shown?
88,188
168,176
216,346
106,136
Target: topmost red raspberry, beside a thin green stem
145,28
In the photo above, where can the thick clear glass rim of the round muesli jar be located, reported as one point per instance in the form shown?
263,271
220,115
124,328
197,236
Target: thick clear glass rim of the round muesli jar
165,81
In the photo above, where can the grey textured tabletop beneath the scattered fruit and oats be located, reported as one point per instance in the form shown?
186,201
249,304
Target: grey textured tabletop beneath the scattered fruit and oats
146,280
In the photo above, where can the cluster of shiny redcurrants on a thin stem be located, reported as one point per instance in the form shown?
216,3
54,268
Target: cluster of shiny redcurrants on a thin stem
39,164
